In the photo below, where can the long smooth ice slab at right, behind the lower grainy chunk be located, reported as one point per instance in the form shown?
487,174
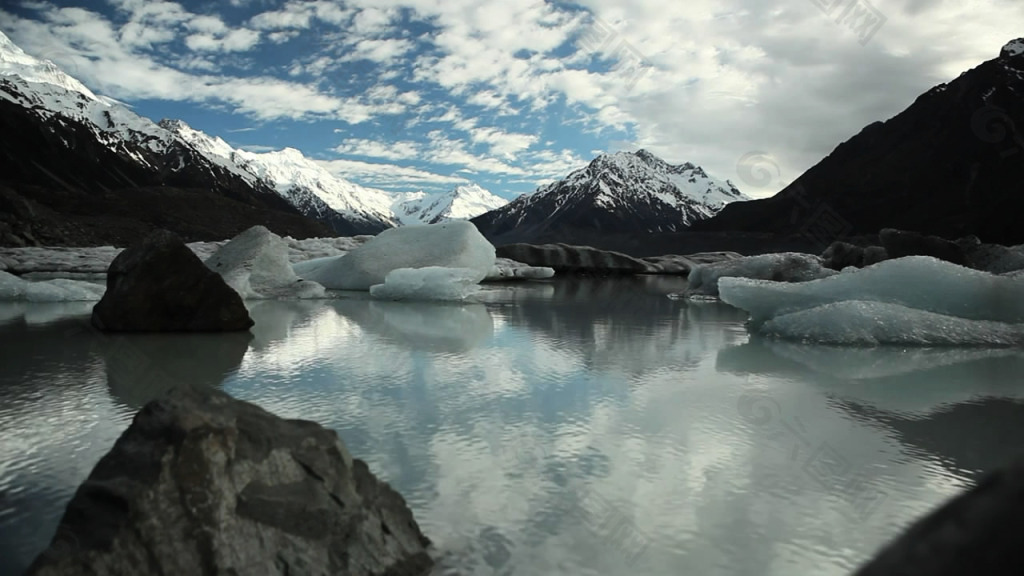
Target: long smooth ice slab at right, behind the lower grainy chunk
918,282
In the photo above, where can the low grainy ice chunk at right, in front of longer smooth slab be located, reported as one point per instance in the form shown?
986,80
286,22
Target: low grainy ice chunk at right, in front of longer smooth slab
868,323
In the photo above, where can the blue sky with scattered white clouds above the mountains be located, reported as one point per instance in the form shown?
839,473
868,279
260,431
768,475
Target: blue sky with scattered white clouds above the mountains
429,95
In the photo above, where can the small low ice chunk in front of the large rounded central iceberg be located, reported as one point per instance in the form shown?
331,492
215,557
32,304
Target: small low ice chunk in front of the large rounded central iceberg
432,283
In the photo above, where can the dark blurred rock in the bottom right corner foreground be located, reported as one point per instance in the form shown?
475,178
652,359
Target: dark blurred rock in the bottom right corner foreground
978,532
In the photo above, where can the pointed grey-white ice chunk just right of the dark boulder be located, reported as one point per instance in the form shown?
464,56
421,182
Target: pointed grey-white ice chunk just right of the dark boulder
255,264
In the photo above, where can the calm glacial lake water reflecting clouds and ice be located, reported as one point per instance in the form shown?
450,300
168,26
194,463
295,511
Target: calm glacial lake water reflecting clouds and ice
579,427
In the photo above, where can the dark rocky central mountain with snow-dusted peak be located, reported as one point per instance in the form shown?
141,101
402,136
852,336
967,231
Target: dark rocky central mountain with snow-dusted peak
621,193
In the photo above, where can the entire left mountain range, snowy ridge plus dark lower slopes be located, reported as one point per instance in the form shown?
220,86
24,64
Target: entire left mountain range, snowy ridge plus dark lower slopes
124,174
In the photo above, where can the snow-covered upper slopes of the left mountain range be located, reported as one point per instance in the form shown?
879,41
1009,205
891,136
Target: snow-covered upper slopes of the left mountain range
173,153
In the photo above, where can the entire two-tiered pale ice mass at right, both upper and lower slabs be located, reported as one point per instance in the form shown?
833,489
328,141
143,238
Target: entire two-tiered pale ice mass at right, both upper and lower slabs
915,301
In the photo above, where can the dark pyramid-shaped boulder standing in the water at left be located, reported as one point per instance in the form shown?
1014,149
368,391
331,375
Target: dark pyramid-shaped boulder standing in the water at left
159,285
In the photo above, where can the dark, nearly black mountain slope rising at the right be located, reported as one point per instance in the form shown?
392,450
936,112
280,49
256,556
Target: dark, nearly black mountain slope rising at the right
952,164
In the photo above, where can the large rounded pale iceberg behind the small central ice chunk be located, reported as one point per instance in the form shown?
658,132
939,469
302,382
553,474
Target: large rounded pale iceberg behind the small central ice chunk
455,244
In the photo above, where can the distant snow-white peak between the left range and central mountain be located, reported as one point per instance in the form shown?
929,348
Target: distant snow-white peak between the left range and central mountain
461,203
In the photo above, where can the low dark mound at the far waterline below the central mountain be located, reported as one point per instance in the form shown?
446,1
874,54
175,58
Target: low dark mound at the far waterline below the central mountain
566,259
